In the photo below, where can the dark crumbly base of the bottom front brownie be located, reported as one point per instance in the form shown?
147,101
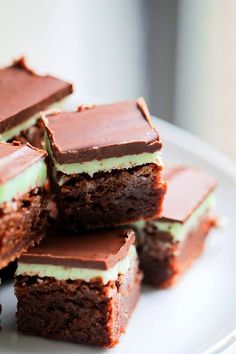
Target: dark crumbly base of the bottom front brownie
77,311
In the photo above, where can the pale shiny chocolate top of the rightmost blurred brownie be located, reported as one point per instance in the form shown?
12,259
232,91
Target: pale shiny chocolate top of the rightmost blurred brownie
187,189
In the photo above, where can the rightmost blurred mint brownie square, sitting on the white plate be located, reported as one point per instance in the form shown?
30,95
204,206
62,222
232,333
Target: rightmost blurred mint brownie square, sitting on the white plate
167,246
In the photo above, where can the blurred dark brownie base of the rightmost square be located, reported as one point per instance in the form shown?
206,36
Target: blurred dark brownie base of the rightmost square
162,260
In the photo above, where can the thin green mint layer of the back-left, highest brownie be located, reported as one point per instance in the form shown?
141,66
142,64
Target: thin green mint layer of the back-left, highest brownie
9,134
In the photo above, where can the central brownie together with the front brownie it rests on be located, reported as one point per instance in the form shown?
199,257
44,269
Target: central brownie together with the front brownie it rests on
105,171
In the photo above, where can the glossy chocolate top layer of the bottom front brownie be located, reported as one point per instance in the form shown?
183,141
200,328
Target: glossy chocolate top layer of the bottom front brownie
98,250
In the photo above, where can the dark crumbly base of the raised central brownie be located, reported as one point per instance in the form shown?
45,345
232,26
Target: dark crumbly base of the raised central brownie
110,199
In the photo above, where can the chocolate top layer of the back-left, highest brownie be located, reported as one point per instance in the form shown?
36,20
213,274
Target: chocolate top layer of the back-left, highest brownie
24,93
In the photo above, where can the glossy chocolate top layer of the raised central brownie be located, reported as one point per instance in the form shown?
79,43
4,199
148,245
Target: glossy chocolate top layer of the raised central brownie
100,132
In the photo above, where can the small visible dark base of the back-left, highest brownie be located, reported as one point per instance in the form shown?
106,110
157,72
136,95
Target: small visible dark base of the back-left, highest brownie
33,135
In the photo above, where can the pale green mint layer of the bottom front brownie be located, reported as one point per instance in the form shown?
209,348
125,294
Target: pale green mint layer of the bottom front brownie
86,274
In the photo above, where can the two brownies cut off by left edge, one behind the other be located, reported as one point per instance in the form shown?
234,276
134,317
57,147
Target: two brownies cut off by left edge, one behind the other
24,197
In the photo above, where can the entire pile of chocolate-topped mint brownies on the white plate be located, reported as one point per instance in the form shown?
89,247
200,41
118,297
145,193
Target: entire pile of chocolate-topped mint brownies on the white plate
81,281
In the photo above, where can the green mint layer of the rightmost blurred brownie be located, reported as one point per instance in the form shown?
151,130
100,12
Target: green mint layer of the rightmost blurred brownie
178,230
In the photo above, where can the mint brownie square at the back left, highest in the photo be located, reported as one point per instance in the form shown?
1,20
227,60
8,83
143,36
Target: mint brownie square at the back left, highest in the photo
23,94
